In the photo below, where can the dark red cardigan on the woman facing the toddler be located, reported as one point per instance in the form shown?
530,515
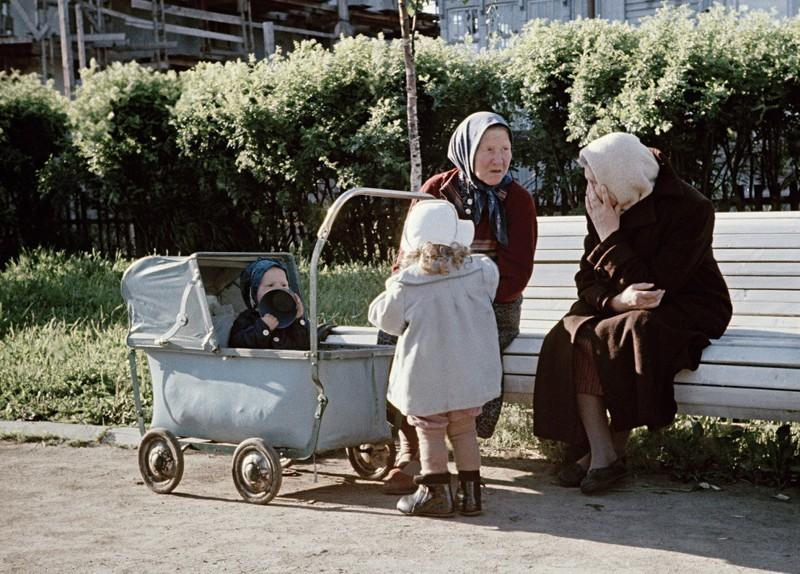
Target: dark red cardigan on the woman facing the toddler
514,260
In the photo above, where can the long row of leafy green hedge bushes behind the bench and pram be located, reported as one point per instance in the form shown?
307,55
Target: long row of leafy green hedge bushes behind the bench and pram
247,155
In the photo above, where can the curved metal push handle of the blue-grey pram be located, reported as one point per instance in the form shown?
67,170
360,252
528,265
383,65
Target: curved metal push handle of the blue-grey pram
322,237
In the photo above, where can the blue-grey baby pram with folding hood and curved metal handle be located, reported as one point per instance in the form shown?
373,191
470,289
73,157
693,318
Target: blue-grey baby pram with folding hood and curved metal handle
262,405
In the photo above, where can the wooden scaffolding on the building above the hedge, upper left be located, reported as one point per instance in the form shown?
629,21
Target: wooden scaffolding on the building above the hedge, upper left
62,36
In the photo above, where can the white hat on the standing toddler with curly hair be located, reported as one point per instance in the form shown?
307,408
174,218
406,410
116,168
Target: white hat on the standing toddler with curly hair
435,221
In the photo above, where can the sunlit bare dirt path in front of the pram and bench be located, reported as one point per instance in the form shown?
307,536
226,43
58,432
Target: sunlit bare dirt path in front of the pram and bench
67,509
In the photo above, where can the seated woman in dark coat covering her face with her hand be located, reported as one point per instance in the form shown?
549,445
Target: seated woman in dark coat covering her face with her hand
650,296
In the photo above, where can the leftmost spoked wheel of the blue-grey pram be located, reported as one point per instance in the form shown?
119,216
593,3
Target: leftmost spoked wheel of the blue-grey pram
160,460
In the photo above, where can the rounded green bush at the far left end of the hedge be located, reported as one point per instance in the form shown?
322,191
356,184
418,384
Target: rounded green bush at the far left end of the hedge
34,130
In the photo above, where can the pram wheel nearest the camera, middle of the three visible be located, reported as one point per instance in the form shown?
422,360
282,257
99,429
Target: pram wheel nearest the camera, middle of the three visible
256,471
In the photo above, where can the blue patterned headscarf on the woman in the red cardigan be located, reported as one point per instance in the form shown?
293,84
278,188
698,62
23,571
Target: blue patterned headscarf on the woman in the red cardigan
463,146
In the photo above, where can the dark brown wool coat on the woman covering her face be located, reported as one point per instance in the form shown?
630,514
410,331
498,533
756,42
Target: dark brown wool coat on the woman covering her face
664,239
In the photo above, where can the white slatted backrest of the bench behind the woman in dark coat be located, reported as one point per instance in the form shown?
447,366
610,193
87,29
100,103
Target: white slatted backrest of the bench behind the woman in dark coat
758,253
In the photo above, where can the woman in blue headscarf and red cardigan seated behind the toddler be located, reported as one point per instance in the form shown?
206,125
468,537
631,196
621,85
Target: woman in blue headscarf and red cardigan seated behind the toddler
482,190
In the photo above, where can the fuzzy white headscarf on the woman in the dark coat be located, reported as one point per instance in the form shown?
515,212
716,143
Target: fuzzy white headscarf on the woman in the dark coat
623,164
